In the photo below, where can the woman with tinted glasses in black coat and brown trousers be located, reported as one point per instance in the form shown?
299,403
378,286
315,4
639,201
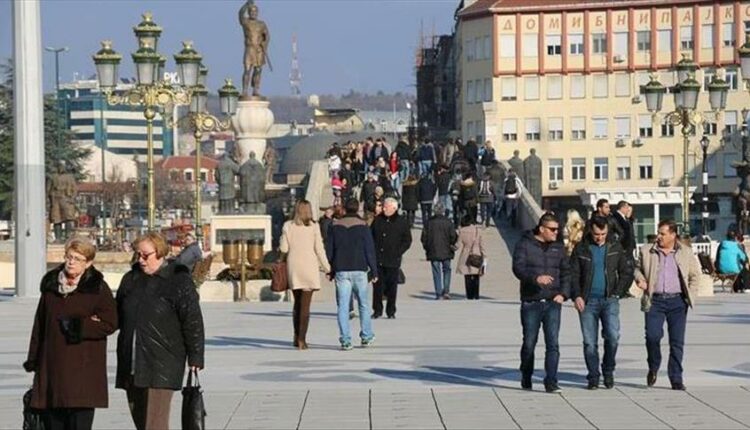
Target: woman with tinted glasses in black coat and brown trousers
161,327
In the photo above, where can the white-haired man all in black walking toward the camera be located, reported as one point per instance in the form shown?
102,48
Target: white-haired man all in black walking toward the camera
392,237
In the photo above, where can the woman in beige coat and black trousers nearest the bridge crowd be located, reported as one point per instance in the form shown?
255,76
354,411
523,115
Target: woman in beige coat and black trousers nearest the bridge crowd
471,258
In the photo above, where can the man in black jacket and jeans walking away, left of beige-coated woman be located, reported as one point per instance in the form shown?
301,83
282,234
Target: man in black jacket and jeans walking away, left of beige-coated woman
439,240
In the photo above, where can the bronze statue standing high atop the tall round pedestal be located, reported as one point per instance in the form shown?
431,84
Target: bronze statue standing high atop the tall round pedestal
256,46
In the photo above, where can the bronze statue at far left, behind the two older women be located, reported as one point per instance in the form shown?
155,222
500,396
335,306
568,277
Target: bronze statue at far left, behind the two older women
61,192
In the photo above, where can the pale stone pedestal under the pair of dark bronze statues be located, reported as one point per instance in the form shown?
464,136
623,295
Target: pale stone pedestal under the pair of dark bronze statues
240,227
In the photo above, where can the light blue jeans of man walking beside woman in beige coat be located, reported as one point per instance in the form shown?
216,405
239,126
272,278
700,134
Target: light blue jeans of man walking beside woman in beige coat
346,283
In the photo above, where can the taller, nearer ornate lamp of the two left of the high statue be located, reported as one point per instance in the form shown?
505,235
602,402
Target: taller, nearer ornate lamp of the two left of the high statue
151,92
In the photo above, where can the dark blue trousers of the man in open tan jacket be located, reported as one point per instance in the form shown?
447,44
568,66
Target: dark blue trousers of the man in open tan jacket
673,310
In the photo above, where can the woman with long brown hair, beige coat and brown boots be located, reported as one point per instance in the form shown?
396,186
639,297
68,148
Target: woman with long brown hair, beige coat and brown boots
301,239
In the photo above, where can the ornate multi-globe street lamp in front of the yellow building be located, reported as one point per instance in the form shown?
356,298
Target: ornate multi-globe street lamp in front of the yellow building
685,114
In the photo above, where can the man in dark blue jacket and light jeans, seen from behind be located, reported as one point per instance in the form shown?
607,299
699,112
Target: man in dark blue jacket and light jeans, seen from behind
351,251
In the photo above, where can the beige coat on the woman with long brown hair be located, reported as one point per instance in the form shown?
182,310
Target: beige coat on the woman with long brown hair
305,255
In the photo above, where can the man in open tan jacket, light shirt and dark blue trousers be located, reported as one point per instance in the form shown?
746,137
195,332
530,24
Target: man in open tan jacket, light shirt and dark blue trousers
668,274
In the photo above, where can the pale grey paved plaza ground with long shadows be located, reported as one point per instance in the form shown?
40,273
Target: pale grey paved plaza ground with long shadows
440,364
